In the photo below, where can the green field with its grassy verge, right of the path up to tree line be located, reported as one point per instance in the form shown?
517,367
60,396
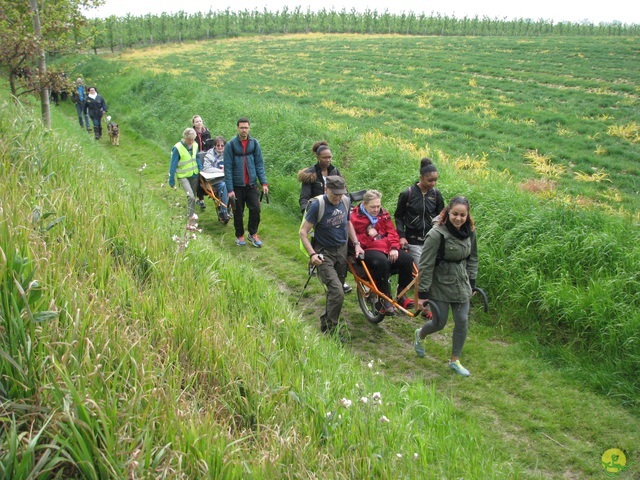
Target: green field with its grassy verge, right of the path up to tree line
501,117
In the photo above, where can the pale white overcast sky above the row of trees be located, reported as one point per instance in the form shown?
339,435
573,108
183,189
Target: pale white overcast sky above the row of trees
607,11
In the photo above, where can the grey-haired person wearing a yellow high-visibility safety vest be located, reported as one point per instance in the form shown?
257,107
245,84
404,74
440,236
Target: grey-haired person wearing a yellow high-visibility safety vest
186,166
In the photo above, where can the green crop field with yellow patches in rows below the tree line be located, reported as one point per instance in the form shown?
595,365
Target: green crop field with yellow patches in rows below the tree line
557,114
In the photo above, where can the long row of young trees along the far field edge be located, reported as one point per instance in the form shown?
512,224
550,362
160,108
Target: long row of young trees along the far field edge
130,31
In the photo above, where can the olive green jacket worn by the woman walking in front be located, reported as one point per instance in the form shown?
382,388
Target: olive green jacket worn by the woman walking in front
448,280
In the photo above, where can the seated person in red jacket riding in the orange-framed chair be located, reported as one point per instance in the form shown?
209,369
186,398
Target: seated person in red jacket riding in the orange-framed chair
381,244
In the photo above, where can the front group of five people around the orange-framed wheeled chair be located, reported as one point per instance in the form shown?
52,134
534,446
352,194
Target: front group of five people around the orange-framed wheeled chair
440,241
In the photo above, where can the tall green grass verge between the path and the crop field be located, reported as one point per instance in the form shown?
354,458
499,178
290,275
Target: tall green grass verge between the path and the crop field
564,271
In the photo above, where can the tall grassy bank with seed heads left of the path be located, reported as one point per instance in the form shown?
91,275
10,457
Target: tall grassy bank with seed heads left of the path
132,358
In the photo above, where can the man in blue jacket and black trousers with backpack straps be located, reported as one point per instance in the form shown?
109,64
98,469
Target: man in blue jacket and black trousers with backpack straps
243,169
